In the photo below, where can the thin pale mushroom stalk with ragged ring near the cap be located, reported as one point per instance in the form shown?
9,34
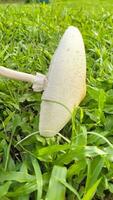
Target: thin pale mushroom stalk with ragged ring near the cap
39,80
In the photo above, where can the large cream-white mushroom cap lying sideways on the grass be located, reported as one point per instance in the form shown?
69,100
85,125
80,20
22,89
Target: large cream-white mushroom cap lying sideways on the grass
66,83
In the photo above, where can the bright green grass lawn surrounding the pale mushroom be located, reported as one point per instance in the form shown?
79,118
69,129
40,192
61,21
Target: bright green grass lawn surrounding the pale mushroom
80,164
